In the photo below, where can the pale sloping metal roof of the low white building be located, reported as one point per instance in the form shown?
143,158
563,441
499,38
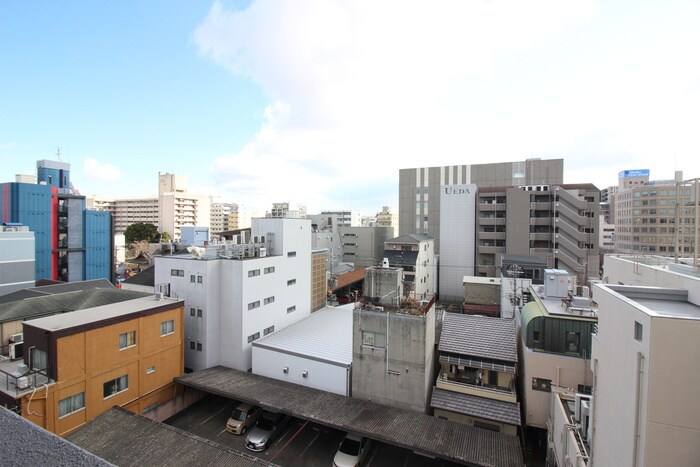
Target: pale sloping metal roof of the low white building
325,335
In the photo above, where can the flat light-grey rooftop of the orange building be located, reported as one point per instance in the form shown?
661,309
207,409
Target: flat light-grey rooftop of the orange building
105,312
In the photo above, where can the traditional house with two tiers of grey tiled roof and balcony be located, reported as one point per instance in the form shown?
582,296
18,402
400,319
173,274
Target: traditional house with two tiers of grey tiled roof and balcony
476,382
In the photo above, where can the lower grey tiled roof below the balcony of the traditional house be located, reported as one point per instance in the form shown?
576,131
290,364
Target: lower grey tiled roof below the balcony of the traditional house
475,406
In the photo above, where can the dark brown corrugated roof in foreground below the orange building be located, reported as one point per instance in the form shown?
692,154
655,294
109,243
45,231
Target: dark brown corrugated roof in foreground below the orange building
127,439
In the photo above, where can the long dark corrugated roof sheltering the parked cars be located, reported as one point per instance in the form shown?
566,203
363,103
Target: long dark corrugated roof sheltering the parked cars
416,431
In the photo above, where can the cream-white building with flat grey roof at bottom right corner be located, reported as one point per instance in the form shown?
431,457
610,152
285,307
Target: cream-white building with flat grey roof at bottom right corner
645,410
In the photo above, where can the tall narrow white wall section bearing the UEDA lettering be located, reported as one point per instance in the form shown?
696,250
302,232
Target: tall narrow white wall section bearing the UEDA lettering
457,239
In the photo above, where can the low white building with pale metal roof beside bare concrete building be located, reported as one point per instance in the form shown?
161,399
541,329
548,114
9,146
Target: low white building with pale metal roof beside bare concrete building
315,352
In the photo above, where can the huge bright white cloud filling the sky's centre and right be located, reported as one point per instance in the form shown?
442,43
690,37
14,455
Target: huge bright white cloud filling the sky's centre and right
358,90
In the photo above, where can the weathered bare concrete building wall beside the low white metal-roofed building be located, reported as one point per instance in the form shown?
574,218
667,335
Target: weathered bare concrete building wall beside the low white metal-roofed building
399,372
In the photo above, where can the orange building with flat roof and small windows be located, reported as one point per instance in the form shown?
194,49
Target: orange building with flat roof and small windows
125,354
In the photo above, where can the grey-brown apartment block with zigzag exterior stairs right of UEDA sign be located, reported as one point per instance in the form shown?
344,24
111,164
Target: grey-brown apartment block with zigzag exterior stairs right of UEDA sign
557,223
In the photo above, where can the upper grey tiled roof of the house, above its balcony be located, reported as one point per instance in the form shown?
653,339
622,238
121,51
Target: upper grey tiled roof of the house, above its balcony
479,336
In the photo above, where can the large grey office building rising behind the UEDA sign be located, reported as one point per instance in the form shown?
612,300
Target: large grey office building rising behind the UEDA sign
419,188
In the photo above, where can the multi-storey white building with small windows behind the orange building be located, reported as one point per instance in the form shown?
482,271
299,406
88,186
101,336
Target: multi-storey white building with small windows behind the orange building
235,294
